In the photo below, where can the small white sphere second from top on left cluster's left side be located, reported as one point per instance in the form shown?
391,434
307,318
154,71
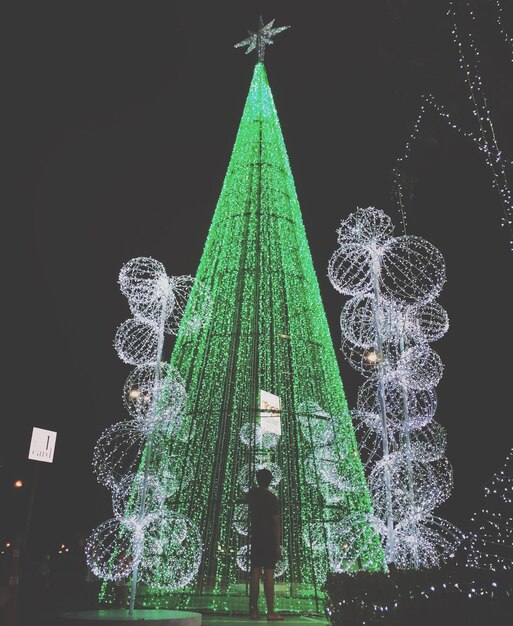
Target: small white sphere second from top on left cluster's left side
136,342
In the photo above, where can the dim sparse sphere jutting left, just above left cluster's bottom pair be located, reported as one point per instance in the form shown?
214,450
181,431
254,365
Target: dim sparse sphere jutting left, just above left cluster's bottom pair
118,452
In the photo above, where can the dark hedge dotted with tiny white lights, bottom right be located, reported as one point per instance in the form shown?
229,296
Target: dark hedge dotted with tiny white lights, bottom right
450,596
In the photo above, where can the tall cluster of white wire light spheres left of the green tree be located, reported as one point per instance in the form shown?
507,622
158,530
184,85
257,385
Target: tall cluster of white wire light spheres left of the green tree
144,539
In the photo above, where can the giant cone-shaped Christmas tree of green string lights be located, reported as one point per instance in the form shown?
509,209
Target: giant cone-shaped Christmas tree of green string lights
268,331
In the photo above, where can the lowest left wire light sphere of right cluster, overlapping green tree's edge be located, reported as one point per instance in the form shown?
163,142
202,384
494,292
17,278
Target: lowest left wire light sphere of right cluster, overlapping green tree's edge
349,543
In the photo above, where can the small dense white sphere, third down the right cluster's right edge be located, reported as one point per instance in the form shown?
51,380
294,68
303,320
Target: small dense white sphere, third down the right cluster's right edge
420,367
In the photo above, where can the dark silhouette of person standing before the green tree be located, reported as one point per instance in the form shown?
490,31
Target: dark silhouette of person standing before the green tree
265,533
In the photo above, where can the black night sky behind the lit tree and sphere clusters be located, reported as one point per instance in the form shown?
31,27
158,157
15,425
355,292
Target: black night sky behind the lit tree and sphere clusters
122,116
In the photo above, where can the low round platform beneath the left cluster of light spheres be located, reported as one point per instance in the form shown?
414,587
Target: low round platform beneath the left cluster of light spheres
120,617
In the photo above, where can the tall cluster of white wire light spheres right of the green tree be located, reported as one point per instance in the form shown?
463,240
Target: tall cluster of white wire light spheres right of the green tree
387,326
